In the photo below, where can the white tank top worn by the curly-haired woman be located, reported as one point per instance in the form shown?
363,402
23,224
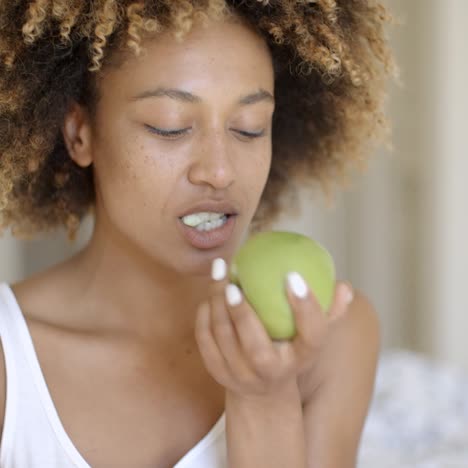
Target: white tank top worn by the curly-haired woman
33,435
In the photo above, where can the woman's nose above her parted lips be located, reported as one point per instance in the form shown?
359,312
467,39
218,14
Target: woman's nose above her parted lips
212,164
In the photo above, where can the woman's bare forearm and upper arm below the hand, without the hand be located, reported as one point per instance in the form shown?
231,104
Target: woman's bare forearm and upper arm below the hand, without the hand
325,430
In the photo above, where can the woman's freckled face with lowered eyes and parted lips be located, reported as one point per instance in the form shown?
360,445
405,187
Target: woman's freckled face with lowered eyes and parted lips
184,129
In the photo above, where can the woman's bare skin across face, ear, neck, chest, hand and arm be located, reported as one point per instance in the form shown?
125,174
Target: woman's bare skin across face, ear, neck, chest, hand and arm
139,295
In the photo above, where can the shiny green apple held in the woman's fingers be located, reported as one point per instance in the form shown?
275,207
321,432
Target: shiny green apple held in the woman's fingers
260,267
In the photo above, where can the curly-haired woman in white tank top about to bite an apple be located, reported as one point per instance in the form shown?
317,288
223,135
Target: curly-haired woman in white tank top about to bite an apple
158,116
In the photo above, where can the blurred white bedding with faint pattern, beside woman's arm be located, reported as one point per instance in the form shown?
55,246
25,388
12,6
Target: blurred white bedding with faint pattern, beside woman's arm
418,417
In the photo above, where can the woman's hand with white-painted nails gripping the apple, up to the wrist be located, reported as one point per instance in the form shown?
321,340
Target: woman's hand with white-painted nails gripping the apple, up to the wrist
236,348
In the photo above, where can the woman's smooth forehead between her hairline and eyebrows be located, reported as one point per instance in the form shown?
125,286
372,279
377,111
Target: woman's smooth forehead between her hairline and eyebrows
228,56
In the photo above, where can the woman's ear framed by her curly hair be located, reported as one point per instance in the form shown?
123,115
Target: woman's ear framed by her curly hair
77,135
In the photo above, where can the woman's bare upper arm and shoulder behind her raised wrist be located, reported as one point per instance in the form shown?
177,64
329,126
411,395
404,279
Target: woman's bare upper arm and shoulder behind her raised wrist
335,413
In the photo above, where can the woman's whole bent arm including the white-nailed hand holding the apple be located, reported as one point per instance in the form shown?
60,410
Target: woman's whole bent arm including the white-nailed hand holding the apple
267,425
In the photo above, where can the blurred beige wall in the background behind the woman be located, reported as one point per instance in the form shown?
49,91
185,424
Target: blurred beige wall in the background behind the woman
400,234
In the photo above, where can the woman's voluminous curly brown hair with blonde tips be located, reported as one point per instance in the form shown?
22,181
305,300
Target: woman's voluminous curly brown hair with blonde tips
331,61
